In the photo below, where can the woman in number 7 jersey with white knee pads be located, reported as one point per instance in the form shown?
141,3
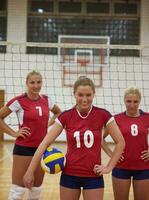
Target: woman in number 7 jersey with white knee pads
32,110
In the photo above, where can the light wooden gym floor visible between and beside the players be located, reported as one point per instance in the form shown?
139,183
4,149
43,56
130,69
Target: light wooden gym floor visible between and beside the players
51,182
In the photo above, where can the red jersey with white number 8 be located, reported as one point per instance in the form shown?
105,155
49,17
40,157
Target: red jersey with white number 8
135,131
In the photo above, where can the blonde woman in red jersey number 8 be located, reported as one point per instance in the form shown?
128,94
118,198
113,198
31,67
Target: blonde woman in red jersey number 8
133,166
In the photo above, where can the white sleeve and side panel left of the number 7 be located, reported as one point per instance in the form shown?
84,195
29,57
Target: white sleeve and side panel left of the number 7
16,107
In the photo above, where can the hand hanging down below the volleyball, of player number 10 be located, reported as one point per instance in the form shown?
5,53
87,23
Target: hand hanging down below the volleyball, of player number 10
28,180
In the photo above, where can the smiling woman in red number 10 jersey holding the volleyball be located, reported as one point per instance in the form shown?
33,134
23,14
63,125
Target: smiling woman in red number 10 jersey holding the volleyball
83,124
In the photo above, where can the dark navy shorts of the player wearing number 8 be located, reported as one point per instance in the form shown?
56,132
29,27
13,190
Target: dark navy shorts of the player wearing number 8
127,174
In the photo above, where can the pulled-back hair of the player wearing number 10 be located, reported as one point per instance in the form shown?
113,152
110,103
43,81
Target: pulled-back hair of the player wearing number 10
84,81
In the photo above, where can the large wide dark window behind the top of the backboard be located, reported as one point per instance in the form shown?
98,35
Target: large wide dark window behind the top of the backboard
117,19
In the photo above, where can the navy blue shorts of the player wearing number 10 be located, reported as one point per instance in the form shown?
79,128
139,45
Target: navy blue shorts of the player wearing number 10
76,182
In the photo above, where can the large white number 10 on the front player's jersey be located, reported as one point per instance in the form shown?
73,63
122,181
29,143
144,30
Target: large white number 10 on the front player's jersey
88,139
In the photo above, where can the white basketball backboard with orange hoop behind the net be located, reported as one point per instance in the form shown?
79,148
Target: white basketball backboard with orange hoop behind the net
85,56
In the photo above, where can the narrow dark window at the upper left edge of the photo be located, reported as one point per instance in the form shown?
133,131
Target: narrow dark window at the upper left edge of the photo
3,24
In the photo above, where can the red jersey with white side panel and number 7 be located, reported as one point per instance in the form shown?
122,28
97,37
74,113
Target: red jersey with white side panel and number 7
33,114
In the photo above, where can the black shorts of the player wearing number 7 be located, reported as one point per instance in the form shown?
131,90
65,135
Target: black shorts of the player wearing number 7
23,150
